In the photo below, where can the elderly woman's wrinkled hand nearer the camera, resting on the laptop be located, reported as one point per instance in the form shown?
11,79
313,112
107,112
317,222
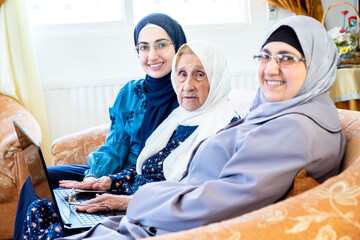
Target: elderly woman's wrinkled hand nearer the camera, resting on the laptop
114,202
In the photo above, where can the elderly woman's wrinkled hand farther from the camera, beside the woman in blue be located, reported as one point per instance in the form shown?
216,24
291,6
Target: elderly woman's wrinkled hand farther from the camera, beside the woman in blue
99,184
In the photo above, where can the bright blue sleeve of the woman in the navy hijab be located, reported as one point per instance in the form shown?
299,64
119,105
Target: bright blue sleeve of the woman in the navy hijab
122,142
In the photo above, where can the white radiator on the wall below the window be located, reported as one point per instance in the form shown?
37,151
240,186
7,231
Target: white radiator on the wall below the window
74,106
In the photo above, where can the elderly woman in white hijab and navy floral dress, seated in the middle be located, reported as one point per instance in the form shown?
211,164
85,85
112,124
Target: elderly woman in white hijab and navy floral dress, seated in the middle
201,80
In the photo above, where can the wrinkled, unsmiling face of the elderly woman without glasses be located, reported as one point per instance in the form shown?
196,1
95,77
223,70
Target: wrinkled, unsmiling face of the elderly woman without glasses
191,82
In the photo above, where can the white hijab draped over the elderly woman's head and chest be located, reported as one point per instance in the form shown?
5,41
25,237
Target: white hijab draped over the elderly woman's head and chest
212,116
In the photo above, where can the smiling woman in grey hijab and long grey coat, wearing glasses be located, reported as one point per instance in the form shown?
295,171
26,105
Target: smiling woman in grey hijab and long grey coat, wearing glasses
292,125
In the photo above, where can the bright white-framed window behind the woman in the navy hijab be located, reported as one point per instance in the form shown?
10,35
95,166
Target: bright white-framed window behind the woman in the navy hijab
78,16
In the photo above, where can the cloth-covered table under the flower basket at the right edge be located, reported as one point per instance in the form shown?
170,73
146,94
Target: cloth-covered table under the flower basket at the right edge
346,90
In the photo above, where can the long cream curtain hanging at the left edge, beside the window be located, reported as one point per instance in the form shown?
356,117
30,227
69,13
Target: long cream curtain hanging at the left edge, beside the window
18,71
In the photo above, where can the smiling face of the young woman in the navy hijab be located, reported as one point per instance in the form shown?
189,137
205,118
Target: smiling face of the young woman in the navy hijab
155,64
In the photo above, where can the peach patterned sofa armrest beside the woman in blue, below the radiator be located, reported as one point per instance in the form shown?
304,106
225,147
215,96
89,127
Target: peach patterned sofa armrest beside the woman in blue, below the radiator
74,148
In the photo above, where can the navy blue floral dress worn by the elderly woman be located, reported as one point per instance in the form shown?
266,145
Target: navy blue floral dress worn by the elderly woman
42,222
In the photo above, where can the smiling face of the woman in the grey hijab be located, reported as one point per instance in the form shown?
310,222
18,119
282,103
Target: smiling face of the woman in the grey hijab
281,83
